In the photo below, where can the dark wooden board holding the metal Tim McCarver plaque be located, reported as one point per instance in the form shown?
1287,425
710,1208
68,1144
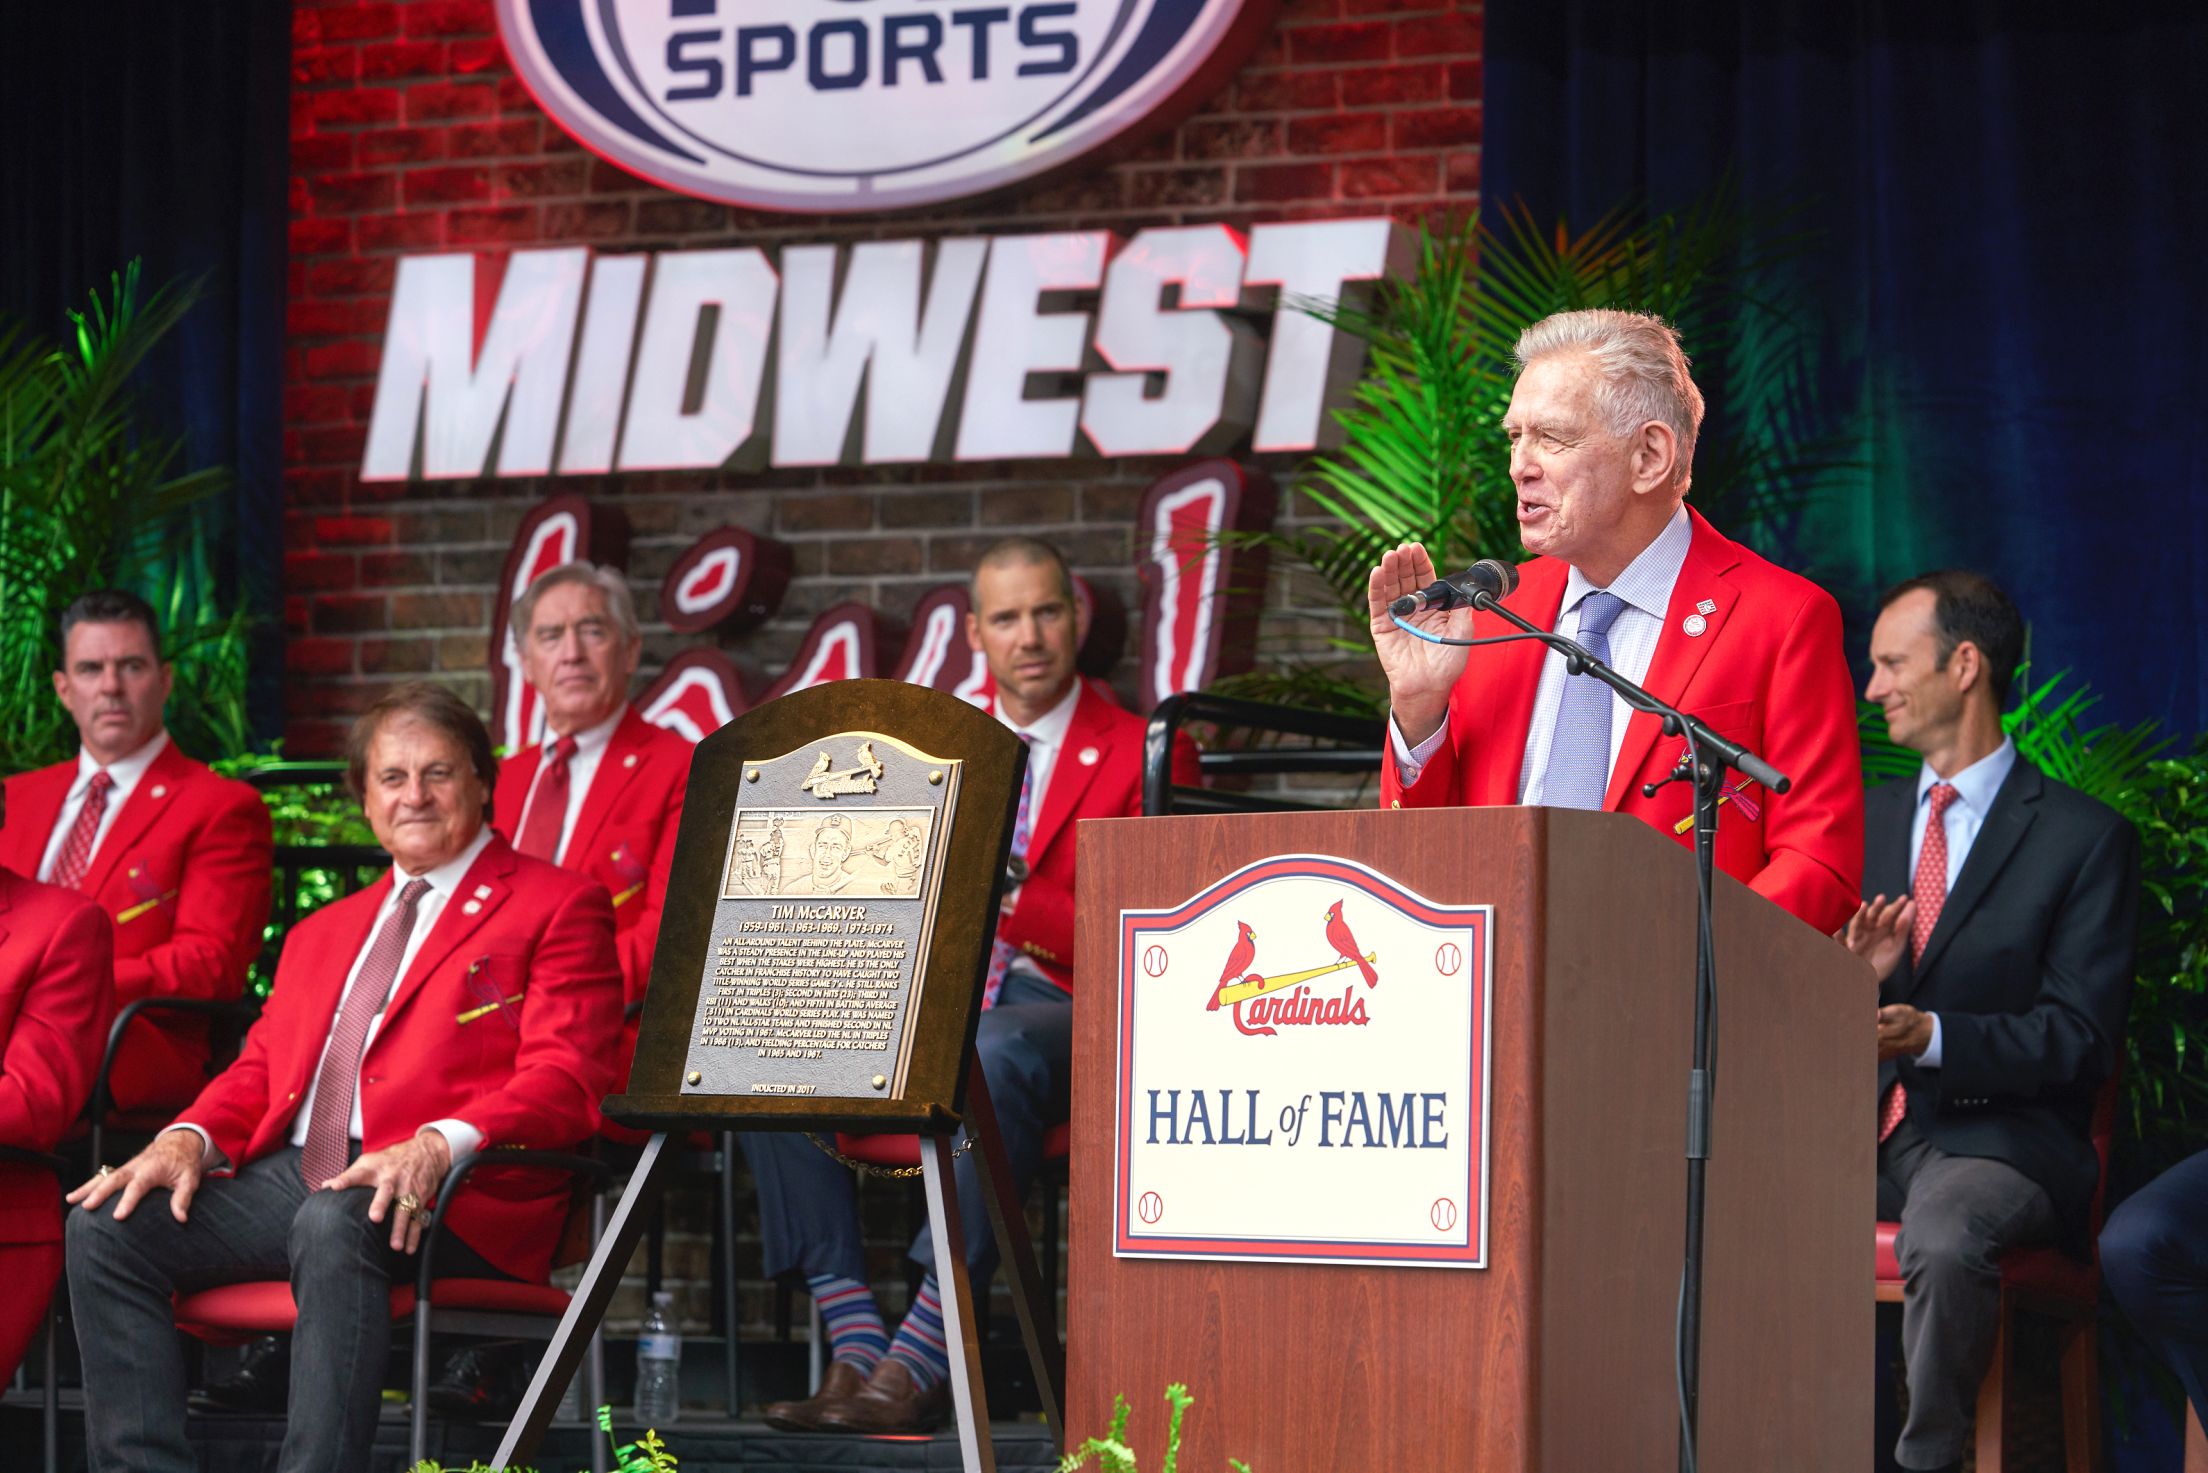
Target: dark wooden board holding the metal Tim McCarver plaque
829,915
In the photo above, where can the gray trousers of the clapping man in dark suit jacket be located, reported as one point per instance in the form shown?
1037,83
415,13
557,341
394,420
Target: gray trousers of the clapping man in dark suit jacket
1957,1218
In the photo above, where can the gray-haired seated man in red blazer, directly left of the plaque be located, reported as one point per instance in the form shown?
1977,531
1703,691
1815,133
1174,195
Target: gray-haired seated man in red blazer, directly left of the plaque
604,792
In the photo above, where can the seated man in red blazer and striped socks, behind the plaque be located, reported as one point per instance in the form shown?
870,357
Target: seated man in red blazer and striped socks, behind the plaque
1083,763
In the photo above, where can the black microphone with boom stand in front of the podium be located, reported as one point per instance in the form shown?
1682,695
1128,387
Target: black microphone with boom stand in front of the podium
1706,763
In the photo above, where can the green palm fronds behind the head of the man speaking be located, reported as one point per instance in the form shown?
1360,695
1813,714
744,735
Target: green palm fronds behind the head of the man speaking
1423,452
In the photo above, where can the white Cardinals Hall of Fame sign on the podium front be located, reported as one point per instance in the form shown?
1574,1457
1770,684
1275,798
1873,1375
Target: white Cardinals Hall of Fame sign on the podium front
1304,1072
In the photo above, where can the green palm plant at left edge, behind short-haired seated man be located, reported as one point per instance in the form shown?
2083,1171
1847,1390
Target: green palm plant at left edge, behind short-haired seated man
94,498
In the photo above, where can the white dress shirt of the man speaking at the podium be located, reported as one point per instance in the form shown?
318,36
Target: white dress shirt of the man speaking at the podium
1646,586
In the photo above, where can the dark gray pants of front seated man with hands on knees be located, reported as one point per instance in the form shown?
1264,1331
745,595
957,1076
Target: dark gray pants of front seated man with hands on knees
259,1225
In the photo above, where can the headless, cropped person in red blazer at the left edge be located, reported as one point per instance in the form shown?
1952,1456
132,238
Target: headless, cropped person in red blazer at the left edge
56,997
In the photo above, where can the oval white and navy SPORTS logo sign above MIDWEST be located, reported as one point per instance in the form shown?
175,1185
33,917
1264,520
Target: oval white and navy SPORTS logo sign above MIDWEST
864,105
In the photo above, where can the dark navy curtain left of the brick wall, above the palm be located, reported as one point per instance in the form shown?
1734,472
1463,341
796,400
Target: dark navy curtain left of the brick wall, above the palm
162,134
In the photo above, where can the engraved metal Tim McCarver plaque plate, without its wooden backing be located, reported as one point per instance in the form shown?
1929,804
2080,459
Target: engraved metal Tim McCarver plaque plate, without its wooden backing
825,915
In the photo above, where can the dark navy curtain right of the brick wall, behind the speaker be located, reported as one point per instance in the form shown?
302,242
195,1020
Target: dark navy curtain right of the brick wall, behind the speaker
2008,209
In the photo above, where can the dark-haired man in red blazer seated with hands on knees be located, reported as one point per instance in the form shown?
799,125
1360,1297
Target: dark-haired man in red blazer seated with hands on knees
458,1006
